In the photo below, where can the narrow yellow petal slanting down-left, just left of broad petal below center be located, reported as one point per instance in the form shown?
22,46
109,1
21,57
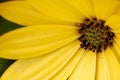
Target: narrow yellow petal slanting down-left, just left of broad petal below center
66,71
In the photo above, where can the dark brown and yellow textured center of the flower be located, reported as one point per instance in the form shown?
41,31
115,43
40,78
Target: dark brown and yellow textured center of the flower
95,35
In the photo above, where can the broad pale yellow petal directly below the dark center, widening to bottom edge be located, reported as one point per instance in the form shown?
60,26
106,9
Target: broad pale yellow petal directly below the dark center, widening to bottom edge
85,70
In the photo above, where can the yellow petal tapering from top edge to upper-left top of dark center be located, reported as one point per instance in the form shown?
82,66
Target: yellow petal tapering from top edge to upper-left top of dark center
84,6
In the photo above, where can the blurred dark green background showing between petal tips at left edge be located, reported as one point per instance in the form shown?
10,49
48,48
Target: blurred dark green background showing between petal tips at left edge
6,26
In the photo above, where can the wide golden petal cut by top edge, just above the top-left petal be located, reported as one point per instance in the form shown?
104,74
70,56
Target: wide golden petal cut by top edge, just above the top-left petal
58,9
